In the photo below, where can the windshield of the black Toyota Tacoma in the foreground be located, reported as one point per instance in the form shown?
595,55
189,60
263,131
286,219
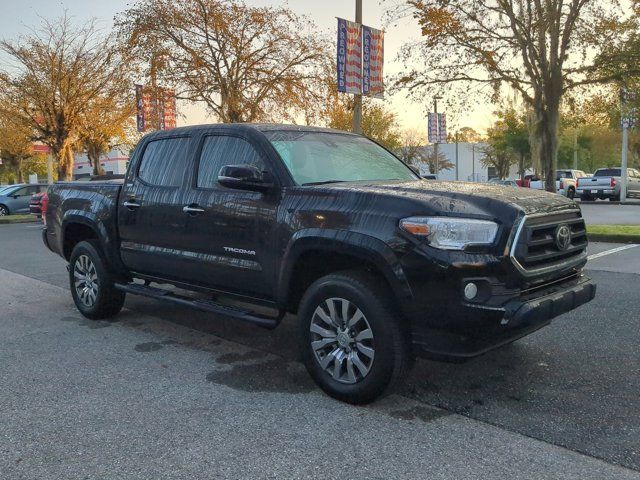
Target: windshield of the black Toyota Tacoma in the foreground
318,157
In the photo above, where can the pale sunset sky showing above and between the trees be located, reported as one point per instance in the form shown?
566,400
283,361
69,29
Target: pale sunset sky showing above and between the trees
19,16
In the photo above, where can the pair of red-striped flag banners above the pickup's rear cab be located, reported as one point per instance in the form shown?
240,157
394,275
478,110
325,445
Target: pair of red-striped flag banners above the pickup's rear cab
155,112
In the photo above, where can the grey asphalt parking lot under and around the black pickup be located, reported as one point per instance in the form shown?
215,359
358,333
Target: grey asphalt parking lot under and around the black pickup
164,392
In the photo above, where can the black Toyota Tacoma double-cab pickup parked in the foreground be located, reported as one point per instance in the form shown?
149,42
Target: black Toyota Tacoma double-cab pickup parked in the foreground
379,266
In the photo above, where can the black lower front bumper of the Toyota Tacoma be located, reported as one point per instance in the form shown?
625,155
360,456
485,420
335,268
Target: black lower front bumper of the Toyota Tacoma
498,326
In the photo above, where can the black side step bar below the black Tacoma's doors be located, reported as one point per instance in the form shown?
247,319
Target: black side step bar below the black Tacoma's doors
202,304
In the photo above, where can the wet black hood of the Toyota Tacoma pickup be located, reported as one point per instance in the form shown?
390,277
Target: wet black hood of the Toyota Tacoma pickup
465,197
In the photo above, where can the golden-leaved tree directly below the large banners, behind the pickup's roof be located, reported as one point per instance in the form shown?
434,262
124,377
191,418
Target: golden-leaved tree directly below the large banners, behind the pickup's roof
378,123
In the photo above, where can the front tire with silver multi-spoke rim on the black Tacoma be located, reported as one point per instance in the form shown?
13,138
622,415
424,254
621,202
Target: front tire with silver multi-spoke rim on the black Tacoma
389,343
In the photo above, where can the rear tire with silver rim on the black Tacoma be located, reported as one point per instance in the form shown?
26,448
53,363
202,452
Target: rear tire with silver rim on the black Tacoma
106,302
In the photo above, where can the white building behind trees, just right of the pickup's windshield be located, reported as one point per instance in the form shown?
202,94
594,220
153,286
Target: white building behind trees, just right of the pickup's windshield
467,160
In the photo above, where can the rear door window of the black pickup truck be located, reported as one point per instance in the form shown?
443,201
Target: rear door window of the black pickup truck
164,162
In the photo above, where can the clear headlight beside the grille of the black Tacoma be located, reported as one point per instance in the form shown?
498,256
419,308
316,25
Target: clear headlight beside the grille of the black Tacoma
451,233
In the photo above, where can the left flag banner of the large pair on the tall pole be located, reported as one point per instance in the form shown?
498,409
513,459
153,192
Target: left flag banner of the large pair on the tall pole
349,57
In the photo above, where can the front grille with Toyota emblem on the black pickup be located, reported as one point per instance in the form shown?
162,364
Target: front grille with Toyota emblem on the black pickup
536,246
